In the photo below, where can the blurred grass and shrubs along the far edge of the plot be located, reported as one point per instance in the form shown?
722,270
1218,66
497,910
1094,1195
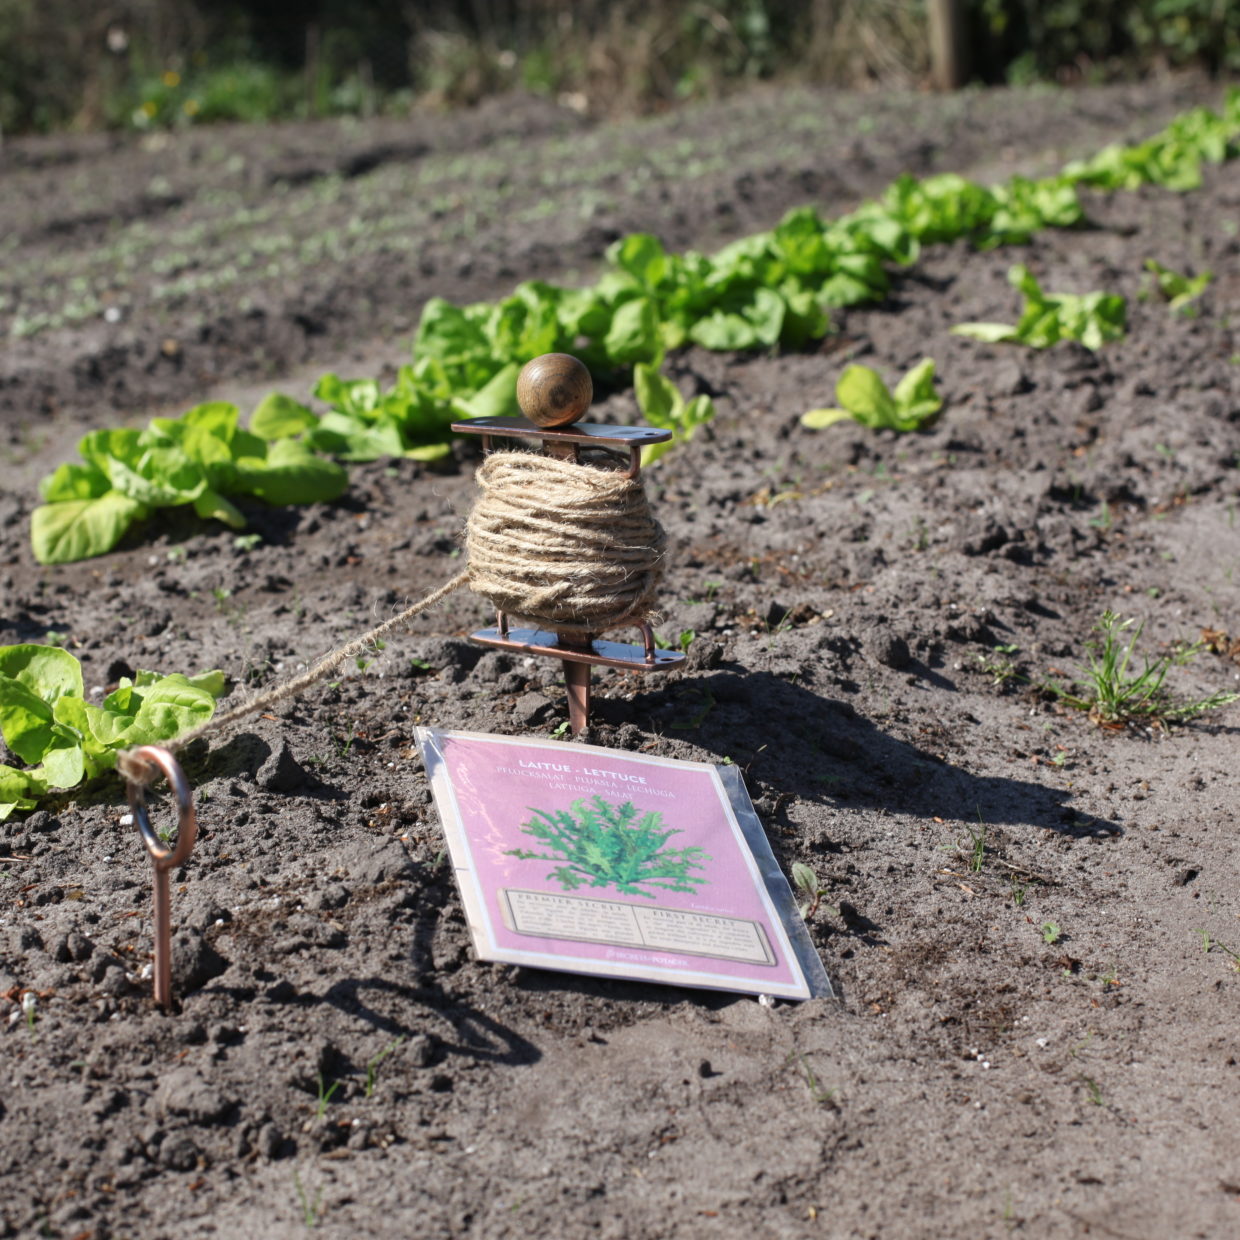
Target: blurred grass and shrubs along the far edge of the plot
147,64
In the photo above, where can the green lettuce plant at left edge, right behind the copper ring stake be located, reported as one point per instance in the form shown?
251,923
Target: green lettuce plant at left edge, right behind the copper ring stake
48,722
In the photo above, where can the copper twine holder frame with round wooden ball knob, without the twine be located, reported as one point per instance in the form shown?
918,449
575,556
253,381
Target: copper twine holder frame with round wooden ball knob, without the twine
554,392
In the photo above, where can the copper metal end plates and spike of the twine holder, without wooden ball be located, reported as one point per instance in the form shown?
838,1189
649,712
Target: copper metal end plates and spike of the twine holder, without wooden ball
577,652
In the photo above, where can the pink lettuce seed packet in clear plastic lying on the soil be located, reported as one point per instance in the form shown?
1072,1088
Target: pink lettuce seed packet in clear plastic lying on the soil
618,865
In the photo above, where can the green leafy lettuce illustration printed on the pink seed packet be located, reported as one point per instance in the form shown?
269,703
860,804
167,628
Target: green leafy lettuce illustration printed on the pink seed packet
604,845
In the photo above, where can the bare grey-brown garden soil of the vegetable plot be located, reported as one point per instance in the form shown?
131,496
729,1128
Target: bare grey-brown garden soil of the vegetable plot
1030,1035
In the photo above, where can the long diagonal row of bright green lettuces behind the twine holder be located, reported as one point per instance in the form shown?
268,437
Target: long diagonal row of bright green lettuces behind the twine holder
776,290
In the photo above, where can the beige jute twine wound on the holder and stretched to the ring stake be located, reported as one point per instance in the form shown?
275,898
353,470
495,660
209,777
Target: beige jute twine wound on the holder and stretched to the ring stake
549,542
